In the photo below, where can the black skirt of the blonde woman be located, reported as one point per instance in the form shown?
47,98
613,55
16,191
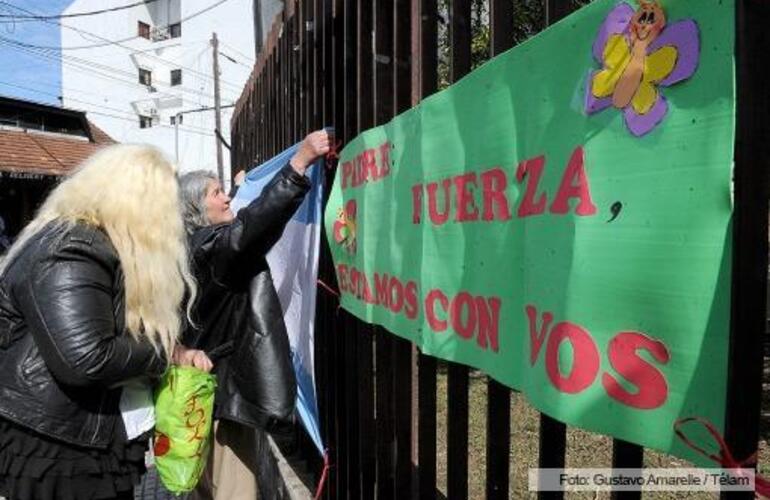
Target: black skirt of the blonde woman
36,467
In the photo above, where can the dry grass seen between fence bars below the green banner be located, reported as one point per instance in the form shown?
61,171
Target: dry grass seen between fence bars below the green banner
584,449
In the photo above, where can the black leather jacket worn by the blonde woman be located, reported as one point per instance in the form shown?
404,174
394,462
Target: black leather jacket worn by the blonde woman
63,345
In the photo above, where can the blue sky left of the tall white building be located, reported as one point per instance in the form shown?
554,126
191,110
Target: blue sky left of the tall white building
24,75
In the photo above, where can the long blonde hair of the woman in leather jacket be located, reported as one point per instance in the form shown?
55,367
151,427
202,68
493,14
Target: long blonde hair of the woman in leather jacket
132,193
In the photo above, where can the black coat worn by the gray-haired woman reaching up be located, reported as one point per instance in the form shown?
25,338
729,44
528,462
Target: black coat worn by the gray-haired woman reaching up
256,382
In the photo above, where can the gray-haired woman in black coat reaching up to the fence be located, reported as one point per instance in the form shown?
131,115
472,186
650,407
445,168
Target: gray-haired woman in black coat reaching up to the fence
236,307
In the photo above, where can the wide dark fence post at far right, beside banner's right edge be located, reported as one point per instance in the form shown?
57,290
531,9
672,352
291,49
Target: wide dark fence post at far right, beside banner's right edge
750,217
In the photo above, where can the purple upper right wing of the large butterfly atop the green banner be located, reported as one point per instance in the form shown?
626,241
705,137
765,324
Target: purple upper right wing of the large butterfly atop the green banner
684,36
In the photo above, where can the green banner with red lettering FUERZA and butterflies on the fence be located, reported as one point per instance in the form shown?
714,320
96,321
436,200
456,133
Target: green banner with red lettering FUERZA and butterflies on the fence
560,219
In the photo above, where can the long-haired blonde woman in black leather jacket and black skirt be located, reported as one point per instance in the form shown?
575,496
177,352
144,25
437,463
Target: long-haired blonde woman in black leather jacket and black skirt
91,297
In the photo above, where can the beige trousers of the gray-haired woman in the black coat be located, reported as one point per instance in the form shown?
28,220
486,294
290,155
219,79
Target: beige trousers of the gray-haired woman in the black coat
231,471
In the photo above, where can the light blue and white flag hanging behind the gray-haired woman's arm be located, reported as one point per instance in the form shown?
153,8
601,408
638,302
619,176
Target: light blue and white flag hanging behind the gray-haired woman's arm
294,266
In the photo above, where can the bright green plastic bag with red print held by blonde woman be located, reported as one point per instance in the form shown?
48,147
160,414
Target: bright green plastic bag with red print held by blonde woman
184,406
